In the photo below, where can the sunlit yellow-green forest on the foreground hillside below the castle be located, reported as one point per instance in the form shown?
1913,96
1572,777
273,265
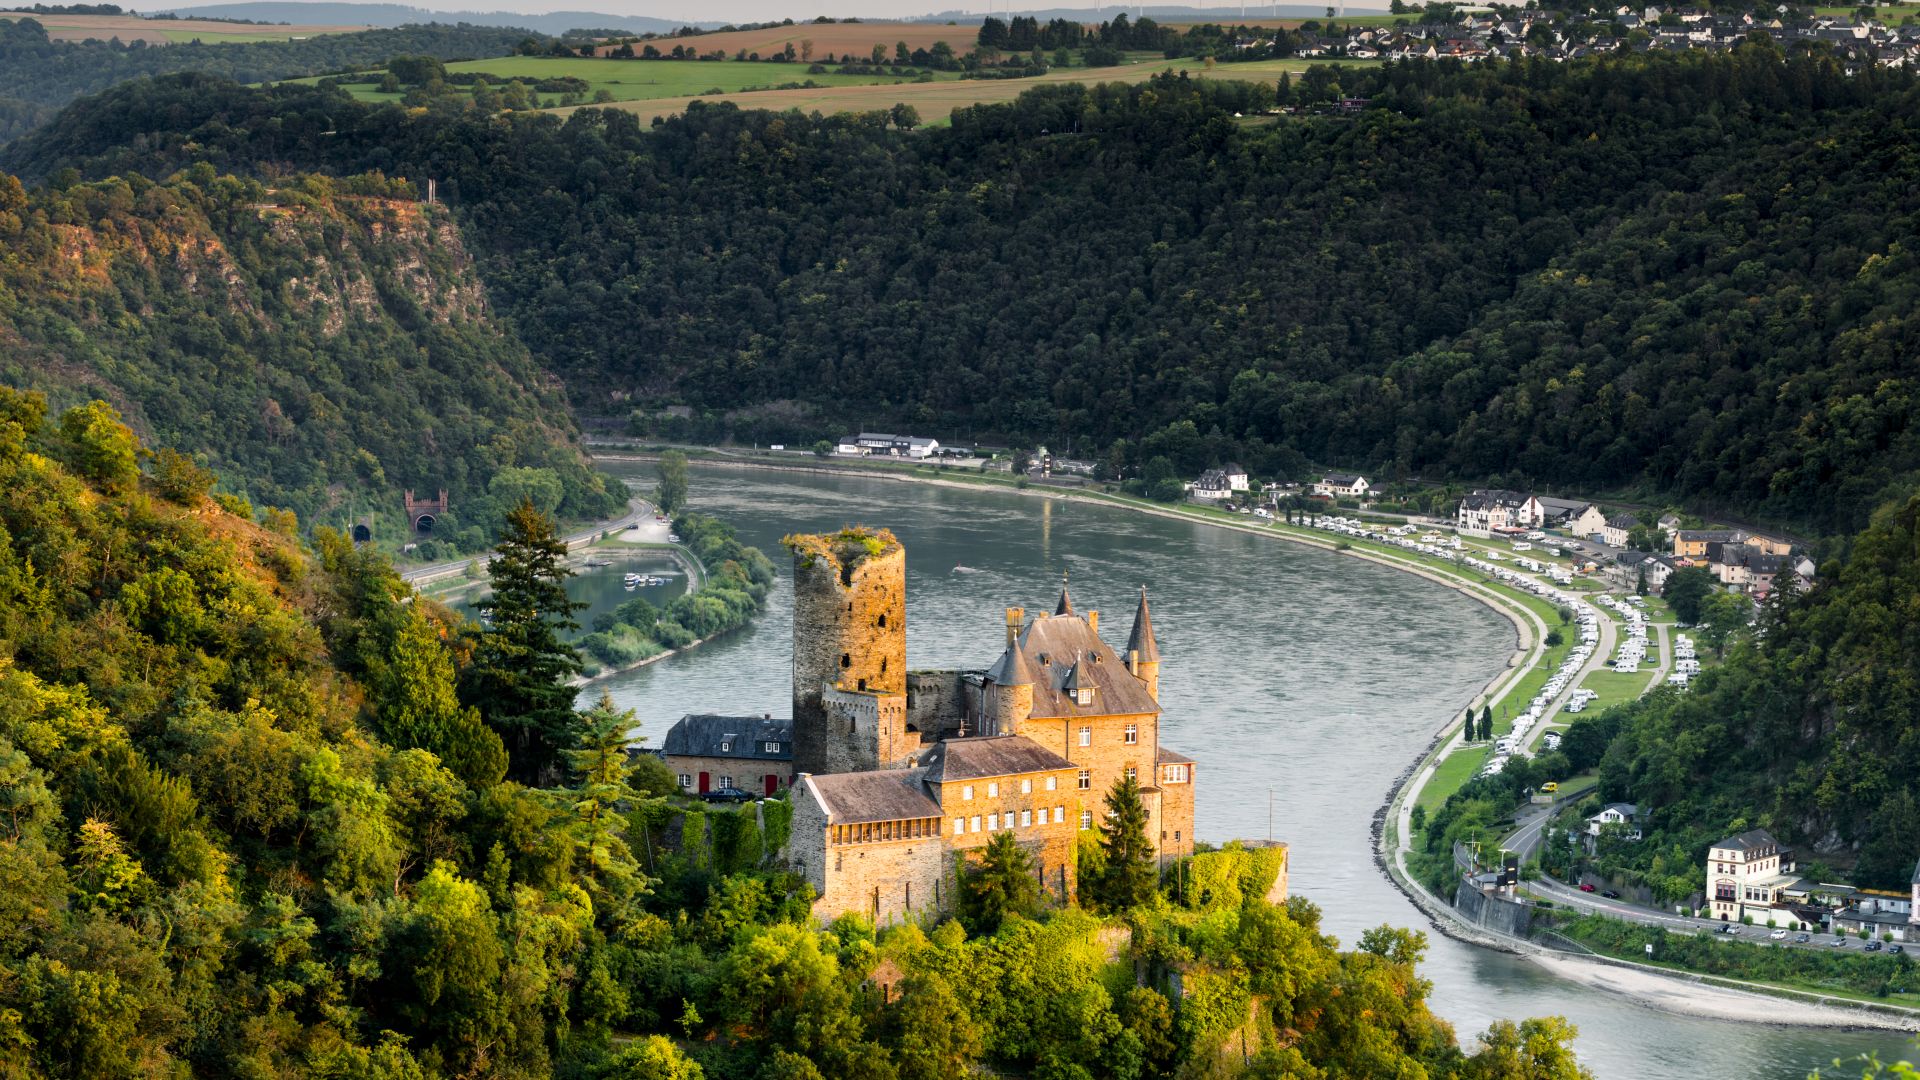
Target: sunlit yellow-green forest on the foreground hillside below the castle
258,825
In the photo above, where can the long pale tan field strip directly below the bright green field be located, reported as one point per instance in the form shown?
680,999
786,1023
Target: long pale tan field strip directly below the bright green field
938,101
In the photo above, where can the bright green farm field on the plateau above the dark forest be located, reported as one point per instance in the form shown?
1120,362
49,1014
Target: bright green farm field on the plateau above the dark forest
644,80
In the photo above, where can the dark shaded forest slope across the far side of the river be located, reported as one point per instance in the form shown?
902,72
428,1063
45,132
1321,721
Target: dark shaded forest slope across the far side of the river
1679,274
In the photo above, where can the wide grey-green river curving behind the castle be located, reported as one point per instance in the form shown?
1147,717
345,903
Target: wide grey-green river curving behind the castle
1295,677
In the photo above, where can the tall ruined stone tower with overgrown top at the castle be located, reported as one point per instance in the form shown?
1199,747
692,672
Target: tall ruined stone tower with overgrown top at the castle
850,652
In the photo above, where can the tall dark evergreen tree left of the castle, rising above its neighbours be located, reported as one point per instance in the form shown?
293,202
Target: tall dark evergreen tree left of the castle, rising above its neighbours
521,668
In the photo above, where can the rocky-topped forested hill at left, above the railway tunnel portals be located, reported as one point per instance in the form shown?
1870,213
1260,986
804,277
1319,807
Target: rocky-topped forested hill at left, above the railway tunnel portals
322,343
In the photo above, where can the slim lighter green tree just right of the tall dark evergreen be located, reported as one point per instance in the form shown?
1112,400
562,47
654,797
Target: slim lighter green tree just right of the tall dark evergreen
602,798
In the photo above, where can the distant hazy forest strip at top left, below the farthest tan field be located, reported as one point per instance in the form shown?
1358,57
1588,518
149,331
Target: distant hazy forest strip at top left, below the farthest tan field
43,72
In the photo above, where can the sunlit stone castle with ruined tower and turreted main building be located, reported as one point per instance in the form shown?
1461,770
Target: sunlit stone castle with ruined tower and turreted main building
900,772
